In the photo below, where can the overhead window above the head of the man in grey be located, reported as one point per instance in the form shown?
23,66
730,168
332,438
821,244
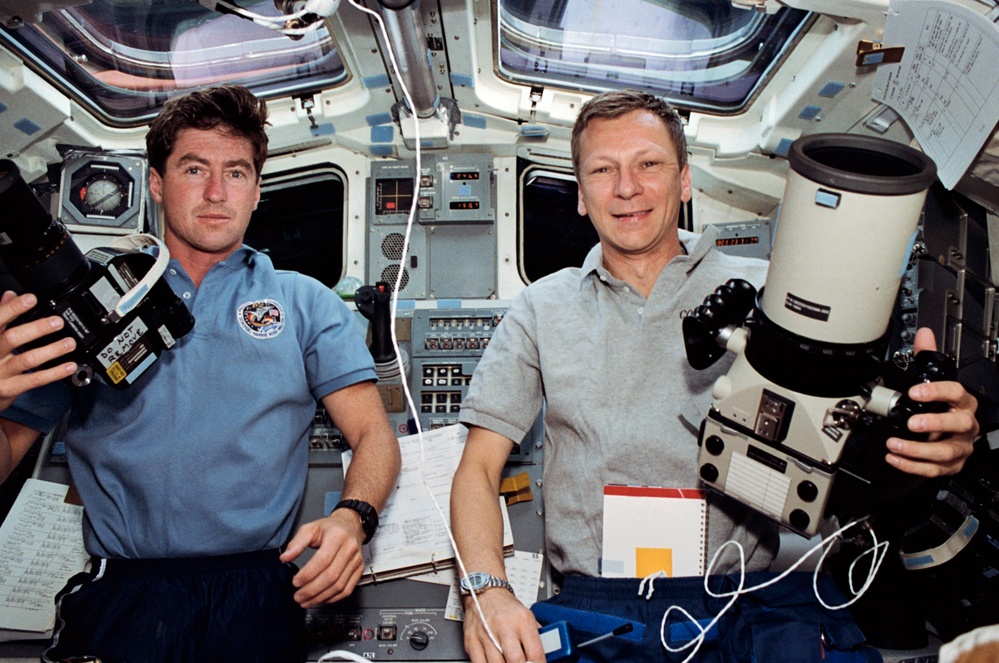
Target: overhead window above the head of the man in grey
706,54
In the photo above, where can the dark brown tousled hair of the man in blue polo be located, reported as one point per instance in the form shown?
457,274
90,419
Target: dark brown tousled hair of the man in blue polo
230,108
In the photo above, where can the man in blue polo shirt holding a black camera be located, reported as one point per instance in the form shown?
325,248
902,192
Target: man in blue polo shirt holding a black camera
191,478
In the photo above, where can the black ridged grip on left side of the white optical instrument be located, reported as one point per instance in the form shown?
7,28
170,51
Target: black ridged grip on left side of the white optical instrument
728,305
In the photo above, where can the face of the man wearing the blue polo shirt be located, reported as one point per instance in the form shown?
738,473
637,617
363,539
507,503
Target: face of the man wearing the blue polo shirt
208,190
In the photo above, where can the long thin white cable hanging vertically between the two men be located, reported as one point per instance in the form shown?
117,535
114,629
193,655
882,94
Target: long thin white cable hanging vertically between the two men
395,300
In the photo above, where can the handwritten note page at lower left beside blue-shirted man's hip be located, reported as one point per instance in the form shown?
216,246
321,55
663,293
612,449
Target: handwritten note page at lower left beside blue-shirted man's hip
41,547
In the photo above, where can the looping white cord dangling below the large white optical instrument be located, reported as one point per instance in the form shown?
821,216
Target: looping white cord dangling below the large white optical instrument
879,550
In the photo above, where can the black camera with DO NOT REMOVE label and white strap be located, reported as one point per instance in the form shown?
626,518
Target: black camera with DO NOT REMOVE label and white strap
113,300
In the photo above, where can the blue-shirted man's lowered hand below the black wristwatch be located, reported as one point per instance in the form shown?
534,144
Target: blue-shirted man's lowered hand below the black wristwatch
337,565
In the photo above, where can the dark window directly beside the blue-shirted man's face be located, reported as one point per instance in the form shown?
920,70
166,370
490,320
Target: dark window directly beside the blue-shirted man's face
299,223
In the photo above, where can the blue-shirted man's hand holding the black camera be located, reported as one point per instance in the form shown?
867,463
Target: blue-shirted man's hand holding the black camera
14,378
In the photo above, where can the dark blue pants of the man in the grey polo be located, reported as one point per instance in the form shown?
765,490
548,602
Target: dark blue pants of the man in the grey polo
780,624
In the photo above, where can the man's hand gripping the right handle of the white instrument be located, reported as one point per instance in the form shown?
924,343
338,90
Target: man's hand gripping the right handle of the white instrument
951,434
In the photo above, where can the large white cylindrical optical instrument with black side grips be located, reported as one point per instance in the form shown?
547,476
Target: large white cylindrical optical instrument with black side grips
805,396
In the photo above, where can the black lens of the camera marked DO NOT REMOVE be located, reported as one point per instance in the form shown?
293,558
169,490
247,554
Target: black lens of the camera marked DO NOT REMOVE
35,247
